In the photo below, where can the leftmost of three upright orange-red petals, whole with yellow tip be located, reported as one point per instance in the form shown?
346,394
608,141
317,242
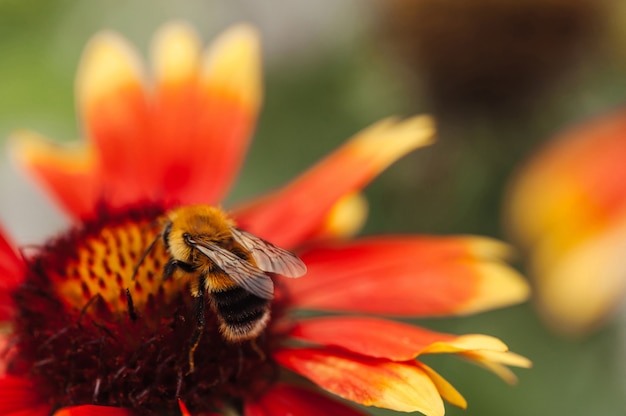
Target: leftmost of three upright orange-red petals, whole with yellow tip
112,101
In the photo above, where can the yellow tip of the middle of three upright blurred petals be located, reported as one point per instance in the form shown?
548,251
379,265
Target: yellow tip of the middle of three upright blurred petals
176,53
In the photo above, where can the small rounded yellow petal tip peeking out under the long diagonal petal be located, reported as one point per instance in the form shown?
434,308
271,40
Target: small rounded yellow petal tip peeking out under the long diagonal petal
346,218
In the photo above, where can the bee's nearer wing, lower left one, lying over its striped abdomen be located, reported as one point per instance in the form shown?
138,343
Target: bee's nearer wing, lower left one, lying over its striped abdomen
242,272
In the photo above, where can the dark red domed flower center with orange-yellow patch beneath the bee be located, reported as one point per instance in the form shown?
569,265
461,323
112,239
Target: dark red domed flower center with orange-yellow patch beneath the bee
88,331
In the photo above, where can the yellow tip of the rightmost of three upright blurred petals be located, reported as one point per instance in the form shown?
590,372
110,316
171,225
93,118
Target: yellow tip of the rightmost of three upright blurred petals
232,66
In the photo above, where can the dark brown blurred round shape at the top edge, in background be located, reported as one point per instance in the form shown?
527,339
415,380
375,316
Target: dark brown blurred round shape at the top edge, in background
491,56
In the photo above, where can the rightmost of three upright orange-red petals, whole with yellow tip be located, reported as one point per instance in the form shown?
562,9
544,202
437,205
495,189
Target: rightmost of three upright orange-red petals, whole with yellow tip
230,95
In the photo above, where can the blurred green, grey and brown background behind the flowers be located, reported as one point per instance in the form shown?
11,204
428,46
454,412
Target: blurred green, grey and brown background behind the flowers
501,76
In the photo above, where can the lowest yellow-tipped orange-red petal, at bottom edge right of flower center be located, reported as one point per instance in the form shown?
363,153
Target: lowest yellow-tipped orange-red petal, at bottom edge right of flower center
372,382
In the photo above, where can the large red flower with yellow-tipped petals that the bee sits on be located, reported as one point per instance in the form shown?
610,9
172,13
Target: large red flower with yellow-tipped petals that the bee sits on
94,333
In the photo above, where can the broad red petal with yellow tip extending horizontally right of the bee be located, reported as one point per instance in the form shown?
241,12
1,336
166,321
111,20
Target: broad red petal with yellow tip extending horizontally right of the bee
408,276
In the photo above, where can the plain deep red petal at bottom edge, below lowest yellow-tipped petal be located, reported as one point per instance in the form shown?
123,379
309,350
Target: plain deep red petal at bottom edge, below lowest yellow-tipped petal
285,400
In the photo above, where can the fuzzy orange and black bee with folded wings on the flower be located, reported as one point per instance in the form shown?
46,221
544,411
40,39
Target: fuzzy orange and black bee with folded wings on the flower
227,264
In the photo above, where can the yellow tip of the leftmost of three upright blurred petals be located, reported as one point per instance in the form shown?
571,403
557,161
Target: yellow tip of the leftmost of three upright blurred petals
109,63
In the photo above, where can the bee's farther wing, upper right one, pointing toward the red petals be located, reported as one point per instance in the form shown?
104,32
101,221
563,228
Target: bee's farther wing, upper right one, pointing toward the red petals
269,257
